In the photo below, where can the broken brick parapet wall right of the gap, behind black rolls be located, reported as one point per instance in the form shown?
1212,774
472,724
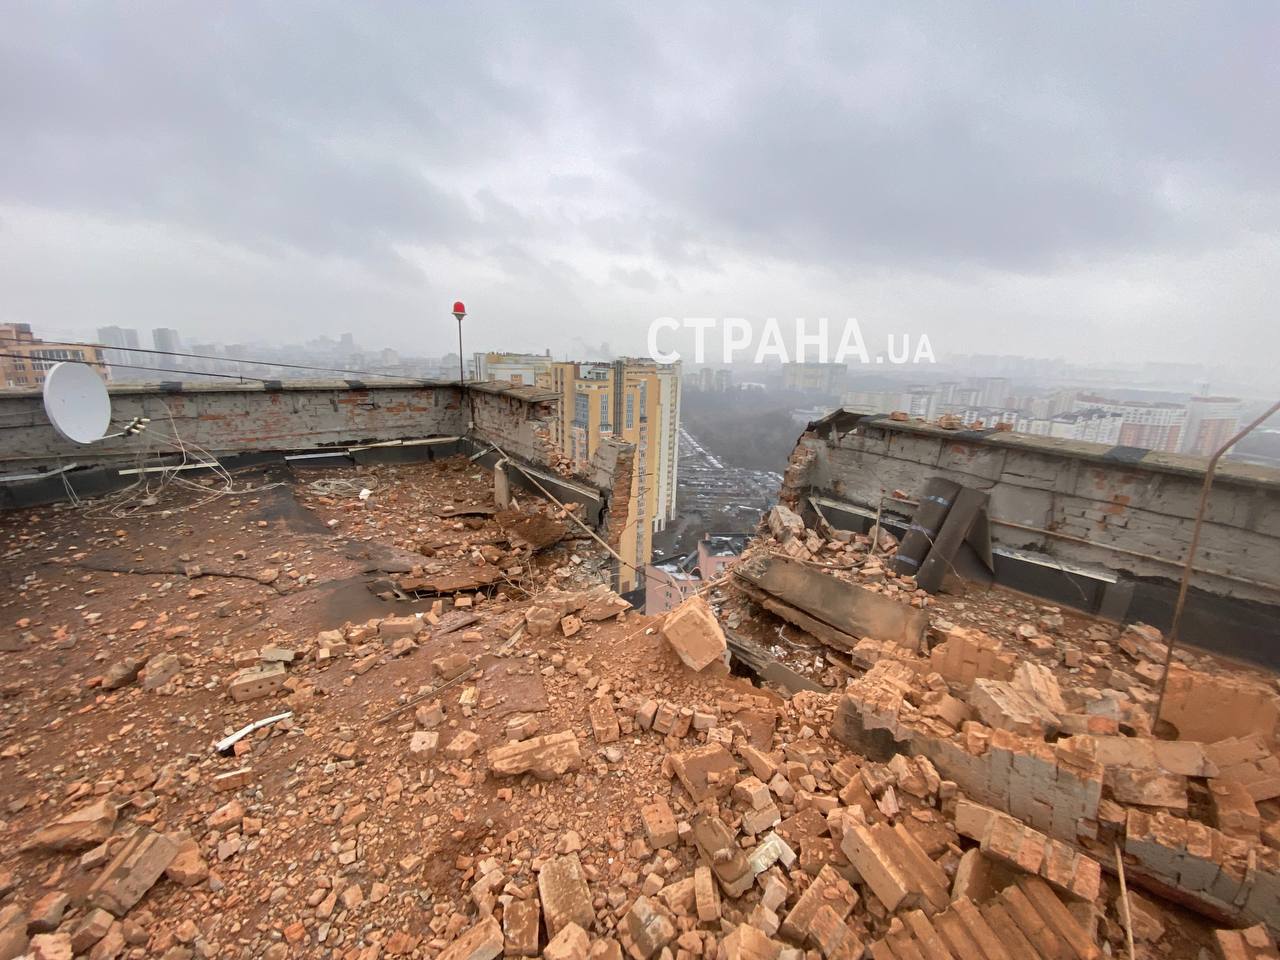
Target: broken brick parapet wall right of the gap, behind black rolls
1118,510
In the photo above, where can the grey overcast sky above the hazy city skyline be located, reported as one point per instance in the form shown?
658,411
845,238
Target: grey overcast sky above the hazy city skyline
1050,180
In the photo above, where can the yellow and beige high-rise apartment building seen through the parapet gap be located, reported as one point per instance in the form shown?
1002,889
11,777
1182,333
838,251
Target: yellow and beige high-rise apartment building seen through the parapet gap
636,401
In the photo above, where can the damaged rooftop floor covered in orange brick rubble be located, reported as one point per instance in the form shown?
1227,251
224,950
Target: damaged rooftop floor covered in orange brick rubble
474,748
